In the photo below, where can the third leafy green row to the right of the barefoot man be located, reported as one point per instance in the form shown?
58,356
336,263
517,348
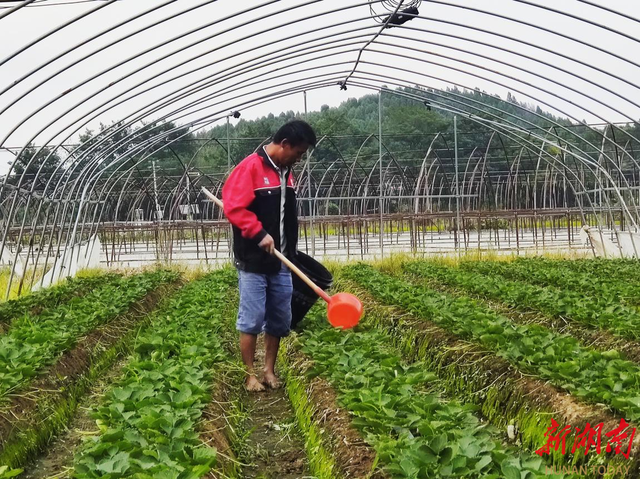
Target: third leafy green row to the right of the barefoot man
598,312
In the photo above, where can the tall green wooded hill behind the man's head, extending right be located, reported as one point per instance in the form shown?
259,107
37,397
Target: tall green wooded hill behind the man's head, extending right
409,126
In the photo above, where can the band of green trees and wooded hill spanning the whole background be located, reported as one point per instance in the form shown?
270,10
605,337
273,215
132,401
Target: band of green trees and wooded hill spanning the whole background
411,119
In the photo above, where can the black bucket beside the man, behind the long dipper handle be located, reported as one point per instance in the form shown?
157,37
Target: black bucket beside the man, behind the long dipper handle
303,296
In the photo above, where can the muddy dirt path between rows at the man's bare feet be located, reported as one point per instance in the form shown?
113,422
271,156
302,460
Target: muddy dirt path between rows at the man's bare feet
274,448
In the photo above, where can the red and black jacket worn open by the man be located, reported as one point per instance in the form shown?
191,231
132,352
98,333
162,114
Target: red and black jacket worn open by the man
251,198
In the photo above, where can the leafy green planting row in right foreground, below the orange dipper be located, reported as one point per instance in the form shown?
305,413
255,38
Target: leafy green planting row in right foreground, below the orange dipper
415,432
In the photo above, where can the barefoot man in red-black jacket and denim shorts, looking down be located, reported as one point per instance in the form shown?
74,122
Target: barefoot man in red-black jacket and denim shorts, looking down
259,201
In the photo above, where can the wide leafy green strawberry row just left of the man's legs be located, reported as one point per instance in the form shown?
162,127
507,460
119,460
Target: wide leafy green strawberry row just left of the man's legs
148,418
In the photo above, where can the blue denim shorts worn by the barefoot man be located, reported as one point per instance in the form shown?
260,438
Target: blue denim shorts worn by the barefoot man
265,303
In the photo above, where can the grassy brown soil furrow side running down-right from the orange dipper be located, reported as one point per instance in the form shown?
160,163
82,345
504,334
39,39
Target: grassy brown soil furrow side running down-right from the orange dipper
474,375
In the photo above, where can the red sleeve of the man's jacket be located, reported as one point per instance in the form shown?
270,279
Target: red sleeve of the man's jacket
238,194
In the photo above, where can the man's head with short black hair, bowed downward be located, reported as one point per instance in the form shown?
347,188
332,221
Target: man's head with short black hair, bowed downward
290,142
